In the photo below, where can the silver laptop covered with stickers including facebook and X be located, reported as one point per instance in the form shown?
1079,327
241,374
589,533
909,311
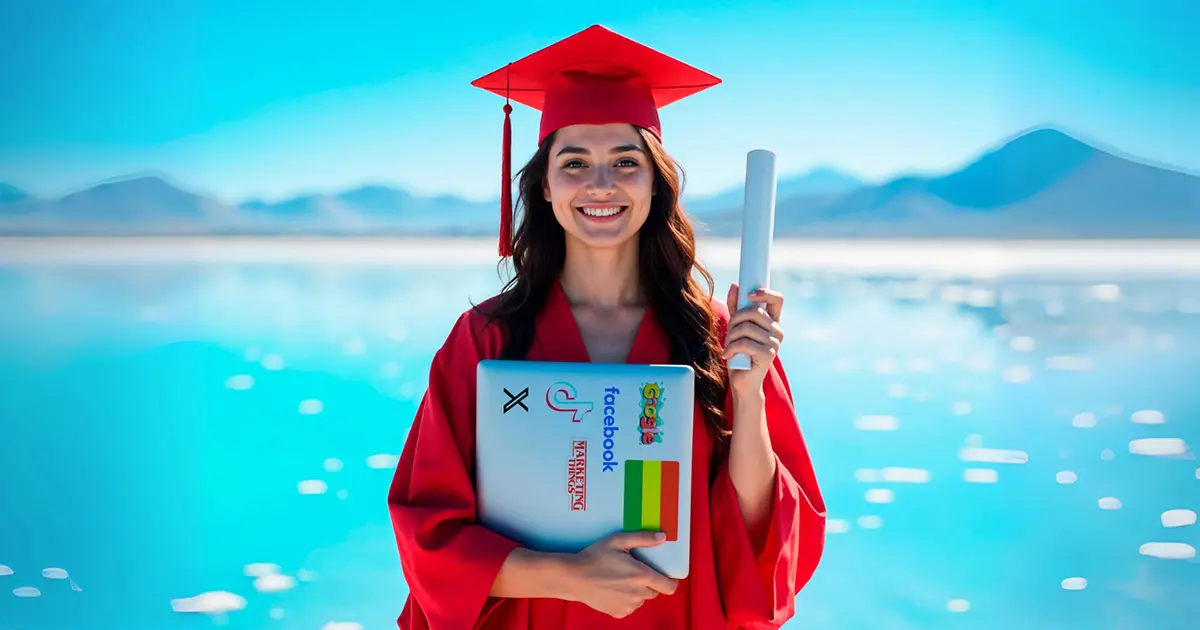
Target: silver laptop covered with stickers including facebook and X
571,453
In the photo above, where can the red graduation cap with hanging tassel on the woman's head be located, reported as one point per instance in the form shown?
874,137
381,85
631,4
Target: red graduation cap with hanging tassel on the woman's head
593,77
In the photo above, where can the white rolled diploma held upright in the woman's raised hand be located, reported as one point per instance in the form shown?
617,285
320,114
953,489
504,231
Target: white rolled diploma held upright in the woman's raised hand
758,232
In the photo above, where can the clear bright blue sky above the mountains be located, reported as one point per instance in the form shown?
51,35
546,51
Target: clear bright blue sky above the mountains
266,99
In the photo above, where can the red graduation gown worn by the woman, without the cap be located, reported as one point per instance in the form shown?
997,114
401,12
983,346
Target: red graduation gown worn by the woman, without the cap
451,562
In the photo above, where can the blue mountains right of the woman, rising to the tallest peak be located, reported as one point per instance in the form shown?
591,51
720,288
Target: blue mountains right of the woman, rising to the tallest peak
1043,184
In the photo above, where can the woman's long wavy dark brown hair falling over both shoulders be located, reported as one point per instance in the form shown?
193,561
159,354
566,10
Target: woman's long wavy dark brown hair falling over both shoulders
668,260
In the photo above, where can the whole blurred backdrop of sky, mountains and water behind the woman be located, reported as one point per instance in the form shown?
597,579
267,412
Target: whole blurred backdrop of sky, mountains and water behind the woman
232,236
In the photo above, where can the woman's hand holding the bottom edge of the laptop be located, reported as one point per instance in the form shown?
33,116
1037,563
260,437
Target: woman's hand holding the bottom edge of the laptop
608,578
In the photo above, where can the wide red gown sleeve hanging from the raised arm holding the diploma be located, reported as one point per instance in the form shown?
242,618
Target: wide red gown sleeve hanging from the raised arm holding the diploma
759,586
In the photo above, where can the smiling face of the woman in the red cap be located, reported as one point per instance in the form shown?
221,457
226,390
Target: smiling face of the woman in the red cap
601,183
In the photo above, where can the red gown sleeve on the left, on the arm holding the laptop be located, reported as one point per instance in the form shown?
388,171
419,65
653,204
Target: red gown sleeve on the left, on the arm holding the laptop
449,562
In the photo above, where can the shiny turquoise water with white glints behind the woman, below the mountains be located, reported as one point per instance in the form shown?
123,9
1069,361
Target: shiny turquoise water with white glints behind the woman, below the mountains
166,428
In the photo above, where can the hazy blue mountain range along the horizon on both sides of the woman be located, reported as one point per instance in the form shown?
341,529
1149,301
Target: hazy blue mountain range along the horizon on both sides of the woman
1041,184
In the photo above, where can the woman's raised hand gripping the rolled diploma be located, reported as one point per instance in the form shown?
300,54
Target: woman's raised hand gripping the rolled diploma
755,332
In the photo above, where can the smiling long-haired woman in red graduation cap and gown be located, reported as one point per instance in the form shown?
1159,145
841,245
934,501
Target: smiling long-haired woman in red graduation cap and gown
604,261
